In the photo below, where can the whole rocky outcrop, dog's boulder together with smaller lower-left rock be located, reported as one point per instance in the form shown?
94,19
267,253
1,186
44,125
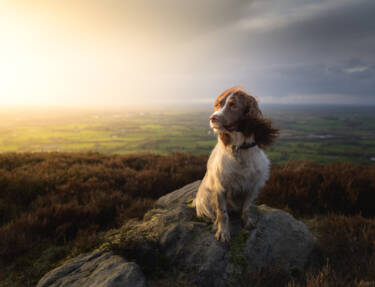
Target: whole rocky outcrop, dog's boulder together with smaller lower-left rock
171,235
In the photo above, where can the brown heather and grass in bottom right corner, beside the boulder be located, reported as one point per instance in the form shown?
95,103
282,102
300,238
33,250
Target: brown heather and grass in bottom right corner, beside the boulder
346,251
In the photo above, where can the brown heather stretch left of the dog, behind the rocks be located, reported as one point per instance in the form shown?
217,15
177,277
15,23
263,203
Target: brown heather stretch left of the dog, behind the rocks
52,197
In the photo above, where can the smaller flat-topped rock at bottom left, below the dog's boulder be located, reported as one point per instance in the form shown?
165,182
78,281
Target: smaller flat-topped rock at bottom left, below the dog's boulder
99,268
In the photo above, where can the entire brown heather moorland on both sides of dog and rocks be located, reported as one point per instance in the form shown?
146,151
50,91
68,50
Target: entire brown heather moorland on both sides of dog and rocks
56,205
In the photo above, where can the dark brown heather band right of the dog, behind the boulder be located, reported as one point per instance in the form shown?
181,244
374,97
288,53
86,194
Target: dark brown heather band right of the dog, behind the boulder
307,188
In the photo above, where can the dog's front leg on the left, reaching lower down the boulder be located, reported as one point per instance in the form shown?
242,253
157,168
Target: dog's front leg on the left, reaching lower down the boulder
222,218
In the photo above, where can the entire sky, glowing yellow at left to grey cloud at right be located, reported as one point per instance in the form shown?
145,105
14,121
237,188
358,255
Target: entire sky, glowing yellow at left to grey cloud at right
115,53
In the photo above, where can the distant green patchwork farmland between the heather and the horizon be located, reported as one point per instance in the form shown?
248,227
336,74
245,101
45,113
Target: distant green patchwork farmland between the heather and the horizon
322,134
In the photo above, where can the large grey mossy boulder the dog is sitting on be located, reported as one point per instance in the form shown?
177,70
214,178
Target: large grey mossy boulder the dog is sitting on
278,240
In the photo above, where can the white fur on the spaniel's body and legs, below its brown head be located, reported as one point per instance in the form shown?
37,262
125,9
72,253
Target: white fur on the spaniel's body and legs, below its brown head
230,172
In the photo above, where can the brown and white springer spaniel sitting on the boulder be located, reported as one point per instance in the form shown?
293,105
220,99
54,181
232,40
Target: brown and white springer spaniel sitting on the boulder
237,168
